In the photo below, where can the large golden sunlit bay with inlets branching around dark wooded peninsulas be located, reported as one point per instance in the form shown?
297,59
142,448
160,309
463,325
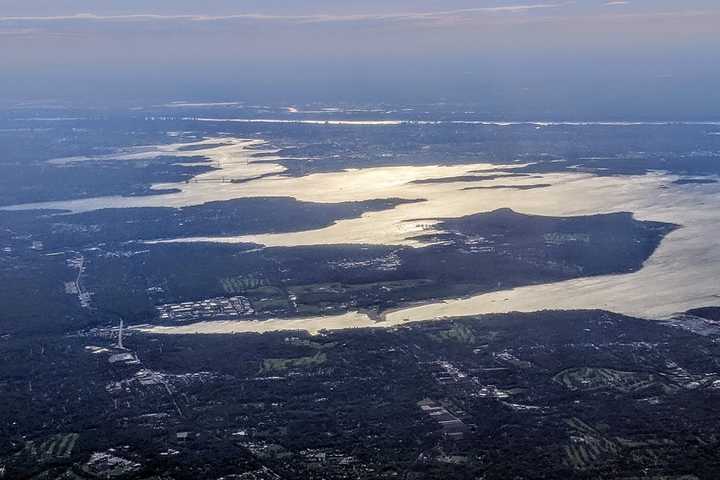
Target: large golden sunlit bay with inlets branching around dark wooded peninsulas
681,274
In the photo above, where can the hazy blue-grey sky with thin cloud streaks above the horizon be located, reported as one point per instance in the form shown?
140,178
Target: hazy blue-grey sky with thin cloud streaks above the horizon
545,57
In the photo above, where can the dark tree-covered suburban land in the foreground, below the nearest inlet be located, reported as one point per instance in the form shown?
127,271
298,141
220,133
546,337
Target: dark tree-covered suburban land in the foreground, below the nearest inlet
356,413
